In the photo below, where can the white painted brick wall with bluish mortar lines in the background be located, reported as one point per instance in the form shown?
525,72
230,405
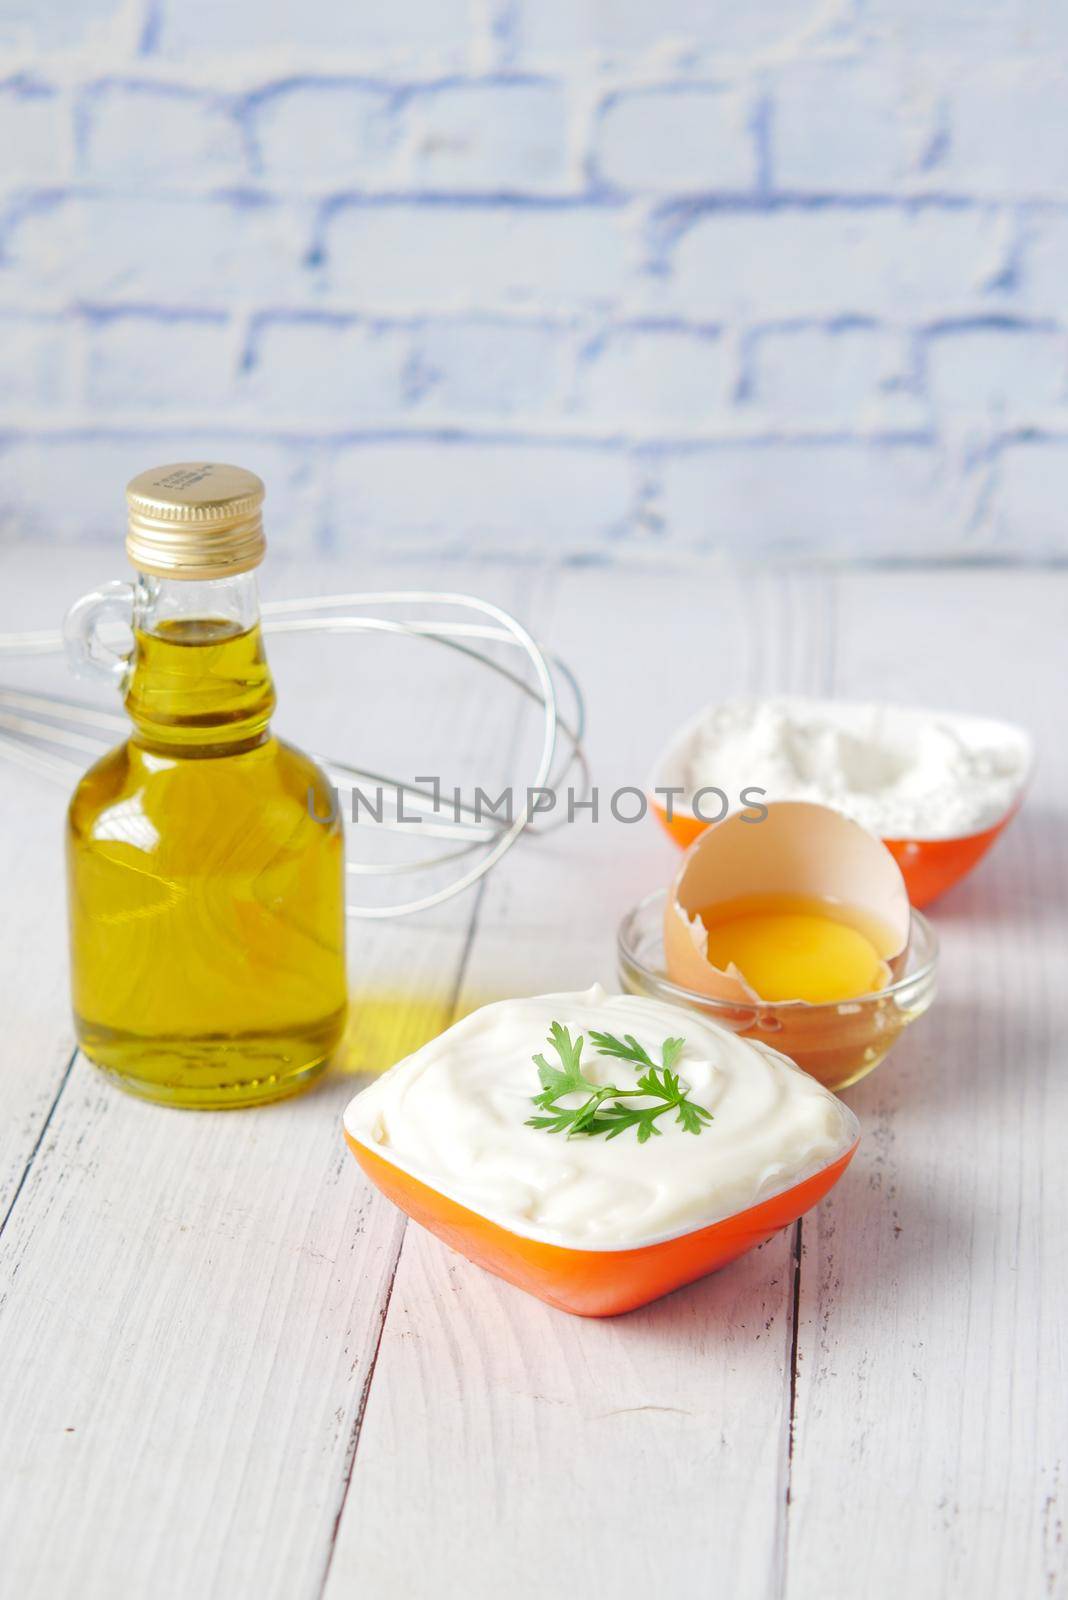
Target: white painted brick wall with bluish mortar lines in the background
632,279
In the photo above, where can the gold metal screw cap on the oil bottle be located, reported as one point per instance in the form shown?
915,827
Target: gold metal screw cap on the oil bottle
196,519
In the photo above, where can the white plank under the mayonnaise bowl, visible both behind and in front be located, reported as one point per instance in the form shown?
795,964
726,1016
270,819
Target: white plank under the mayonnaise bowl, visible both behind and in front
509,1447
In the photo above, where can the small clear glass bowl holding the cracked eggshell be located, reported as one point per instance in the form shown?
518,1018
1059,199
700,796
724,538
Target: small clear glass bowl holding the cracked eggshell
839,1042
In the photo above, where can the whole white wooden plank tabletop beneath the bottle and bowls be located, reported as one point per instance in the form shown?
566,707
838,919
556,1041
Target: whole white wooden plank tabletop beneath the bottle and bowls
231,1370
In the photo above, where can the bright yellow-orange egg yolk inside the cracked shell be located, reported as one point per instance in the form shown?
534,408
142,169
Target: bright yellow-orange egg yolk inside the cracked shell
787,948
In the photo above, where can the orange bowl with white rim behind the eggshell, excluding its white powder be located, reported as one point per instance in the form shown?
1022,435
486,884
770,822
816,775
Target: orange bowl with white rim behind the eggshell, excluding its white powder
930,866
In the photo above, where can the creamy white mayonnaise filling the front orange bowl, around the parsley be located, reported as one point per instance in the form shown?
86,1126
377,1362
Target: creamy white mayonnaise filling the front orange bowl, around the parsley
455,1118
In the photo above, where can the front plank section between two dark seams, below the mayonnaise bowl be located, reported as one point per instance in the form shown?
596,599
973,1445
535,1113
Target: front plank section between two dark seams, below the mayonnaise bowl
509,1449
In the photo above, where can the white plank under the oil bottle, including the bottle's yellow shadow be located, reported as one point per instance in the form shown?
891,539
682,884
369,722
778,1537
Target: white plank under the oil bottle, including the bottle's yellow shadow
191,1305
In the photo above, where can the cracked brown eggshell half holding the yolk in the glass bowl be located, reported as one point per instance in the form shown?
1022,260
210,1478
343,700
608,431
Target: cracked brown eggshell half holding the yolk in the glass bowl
799,849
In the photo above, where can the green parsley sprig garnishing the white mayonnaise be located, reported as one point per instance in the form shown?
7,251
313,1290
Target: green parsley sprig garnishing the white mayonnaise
604,1110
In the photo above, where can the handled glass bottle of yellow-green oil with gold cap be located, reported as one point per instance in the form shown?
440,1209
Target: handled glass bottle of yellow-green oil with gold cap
204,855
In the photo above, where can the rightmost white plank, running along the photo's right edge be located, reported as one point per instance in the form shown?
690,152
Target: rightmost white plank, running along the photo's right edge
931,1415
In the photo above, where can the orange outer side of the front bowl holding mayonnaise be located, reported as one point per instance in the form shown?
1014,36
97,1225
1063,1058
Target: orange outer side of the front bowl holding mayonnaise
600,1282
